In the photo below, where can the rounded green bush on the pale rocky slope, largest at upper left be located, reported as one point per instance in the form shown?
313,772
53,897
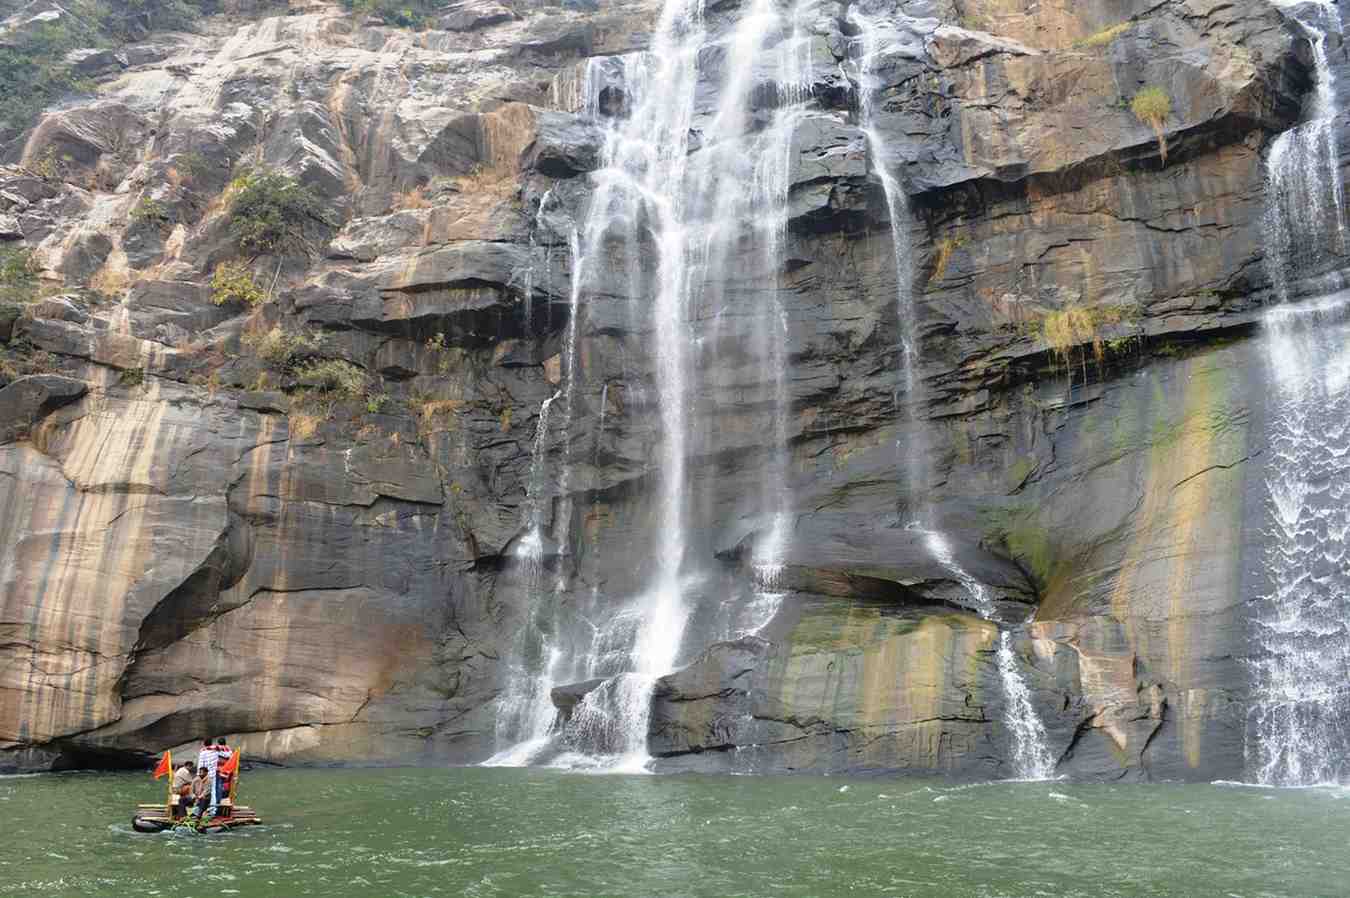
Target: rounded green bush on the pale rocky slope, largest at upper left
269,211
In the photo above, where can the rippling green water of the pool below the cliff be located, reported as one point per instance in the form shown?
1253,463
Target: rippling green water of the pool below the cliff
511,833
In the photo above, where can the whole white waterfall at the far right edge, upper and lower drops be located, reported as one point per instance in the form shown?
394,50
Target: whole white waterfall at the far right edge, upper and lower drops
1299,720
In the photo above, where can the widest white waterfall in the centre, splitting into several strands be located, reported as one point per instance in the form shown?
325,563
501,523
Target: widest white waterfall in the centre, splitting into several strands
673,218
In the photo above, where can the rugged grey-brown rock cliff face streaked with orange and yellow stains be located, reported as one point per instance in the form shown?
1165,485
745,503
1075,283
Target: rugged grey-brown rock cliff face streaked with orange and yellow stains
196,538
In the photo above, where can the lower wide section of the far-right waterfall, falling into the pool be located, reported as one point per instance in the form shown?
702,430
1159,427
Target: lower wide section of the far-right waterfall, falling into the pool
1299,720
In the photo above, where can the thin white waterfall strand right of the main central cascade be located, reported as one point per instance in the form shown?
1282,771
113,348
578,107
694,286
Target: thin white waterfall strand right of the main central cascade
1031,756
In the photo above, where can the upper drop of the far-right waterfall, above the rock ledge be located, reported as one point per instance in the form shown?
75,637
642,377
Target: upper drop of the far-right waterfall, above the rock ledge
1306,221
